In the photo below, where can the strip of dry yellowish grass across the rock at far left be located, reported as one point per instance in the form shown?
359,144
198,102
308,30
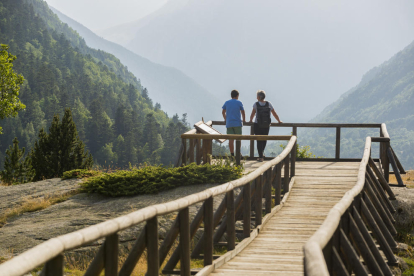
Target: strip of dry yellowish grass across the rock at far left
33,205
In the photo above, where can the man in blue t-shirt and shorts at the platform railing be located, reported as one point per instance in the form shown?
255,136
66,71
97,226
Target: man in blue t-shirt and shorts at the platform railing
232,109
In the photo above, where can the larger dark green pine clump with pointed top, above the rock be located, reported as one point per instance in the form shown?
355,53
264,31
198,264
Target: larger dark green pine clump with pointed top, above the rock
59,151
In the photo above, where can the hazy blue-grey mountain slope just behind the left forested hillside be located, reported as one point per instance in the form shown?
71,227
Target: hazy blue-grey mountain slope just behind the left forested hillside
176,92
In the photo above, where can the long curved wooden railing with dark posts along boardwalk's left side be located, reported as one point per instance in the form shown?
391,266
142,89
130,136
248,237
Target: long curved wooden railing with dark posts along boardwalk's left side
234,206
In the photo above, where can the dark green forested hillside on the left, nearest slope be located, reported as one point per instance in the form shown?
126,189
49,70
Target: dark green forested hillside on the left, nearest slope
112,111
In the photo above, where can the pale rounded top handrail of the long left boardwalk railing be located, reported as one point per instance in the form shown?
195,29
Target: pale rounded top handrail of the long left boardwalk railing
54,247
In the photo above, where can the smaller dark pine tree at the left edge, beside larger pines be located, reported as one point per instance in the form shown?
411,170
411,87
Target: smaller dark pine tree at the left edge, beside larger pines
16,168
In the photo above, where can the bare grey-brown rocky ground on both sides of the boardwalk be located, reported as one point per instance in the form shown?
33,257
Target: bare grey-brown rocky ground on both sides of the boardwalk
29,229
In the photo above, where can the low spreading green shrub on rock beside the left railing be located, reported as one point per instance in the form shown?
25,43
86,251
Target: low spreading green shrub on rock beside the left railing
153,179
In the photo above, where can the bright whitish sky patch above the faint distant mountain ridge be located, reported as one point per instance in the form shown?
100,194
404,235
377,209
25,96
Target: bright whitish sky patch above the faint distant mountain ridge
102,14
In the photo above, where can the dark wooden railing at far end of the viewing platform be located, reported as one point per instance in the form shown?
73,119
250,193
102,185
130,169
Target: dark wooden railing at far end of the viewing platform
387,155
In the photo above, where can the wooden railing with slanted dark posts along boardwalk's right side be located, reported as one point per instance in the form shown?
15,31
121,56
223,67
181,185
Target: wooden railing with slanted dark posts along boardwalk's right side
344,244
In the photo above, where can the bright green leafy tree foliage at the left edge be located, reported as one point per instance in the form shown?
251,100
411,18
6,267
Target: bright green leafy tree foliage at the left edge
10,83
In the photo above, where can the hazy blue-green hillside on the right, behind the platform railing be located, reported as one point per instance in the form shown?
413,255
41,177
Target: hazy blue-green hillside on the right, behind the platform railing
384,95
